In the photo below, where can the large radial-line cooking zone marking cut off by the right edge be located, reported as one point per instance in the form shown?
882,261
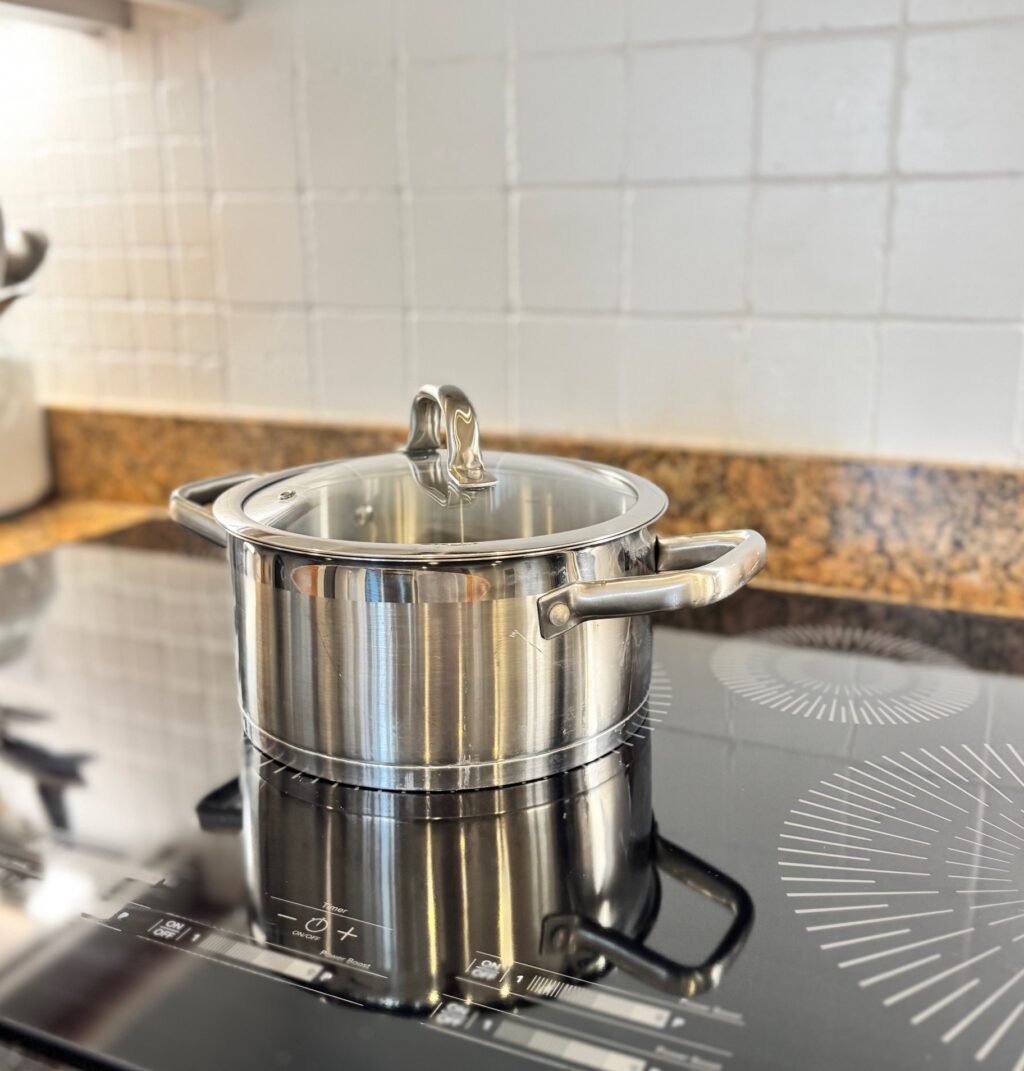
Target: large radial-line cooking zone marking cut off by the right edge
944,828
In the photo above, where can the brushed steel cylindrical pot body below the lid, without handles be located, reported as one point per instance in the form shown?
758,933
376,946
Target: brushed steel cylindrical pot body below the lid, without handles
412,676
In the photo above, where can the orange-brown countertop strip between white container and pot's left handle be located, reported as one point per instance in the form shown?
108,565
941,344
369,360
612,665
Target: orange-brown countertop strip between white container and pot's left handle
67,521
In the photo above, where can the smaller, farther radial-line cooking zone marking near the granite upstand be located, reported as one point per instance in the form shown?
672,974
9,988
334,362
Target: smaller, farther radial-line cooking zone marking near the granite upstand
831,673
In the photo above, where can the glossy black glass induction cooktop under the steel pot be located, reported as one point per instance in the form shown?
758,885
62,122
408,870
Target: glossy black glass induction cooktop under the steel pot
811,856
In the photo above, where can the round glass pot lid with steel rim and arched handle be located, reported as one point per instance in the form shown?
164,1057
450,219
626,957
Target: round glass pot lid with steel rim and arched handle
427,503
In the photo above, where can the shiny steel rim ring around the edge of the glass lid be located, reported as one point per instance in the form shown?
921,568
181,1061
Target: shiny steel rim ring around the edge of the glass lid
651,505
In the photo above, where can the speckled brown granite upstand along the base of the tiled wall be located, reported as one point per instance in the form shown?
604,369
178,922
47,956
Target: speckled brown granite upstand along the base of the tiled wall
950,537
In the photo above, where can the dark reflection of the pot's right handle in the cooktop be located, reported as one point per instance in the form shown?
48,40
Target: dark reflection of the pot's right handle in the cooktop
574,933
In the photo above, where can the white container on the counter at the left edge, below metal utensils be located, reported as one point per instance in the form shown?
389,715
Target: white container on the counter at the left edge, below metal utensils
25,469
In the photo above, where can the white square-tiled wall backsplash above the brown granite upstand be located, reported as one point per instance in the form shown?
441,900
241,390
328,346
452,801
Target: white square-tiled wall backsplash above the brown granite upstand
793,225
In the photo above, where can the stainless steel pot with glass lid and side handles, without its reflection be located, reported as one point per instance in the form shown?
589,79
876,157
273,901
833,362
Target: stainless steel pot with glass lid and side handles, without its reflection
439,620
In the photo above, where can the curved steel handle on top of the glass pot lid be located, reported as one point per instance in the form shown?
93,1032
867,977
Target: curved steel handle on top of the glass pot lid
431,408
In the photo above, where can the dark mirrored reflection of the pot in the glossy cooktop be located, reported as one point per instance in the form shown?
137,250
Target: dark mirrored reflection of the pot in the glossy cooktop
403,894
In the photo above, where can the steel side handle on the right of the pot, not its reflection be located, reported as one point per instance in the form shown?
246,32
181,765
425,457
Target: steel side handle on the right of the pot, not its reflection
692,571
